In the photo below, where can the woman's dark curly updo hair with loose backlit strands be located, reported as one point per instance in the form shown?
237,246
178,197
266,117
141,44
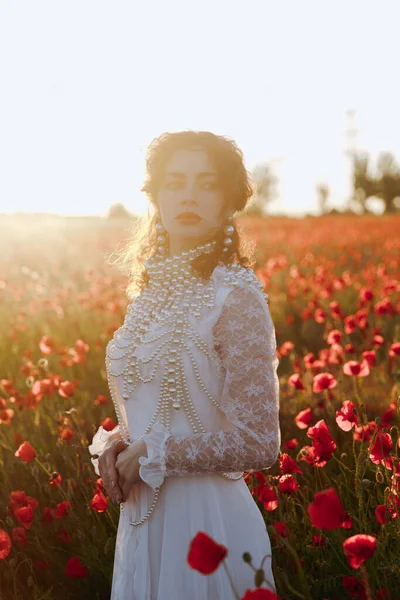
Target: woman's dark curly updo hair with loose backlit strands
237,188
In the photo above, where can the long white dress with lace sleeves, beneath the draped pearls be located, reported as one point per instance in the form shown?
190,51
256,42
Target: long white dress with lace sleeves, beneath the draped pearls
239,371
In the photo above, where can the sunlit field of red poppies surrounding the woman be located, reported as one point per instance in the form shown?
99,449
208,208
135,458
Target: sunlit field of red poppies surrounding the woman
332,500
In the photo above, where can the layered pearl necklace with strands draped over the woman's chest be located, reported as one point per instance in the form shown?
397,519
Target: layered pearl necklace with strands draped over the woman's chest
174,291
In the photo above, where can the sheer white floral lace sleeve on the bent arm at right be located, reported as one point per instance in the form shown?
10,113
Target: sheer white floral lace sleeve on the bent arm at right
245,335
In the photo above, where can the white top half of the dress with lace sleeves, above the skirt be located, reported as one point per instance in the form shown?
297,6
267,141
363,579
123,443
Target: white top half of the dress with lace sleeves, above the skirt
217,408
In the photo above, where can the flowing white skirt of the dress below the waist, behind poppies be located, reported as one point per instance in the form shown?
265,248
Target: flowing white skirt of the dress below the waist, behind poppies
150,560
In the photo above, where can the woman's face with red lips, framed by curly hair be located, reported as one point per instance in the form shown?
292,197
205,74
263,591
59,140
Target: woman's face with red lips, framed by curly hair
190,184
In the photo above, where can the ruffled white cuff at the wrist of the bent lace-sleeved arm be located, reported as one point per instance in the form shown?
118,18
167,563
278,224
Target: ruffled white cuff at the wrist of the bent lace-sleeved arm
152,470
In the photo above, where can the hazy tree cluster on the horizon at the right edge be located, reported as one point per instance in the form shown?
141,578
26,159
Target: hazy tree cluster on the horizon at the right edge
384,184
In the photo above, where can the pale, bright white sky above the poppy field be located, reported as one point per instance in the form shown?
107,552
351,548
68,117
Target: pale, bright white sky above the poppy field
86,85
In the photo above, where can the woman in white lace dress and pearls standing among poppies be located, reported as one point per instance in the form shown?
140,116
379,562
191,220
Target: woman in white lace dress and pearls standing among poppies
192,374
